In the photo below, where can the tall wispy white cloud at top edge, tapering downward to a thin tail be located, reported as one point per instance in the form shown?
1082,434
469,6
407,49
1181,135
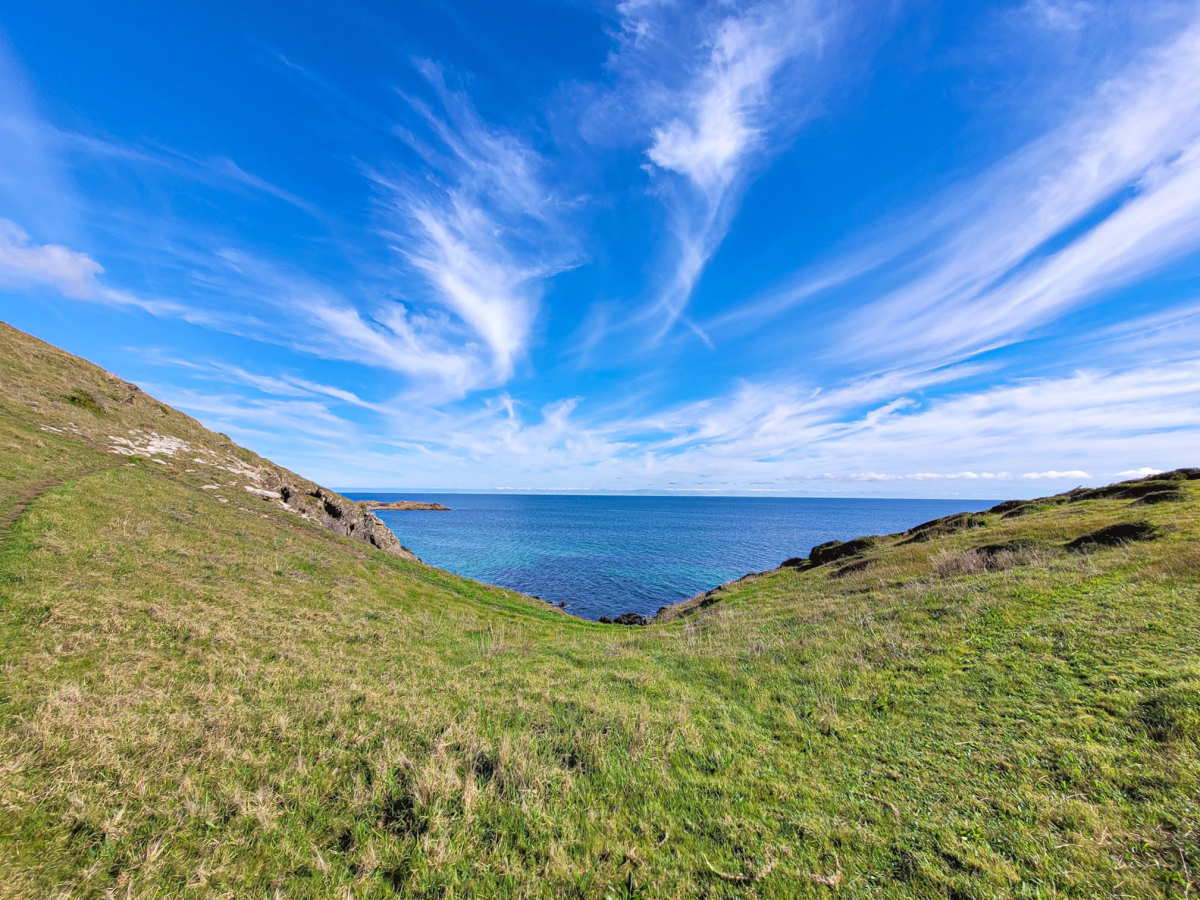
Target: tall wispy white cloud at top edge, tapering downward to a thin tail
710,130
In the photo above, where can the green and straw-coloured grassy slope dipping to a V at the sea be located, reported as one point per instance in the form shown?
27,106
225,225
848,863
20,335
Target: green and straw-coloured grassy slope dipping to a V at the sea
203,694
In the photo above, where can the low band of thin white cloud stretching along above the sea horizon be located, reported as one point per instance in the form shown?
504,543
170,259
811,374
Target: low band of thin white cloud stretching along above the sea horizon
1010,440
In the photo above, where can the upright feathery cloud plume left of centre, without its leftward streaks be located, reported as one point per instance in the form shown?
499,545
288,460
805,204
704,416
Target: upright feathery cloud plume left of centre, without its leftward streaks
479,224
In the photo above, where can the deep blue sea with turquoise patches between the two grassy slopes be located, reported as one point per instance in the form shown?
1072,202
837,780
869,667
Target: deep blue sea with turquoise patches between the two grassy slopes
605,556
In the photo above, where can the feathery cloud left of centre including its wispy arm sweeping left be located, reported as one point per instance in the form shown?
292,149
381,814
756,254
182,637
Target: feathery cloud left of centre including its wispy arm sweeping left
475,221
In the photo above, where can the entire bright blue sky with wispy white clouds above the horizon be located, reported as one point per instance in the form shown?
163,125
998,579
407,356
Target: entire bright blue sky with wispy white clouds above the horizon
878,249
